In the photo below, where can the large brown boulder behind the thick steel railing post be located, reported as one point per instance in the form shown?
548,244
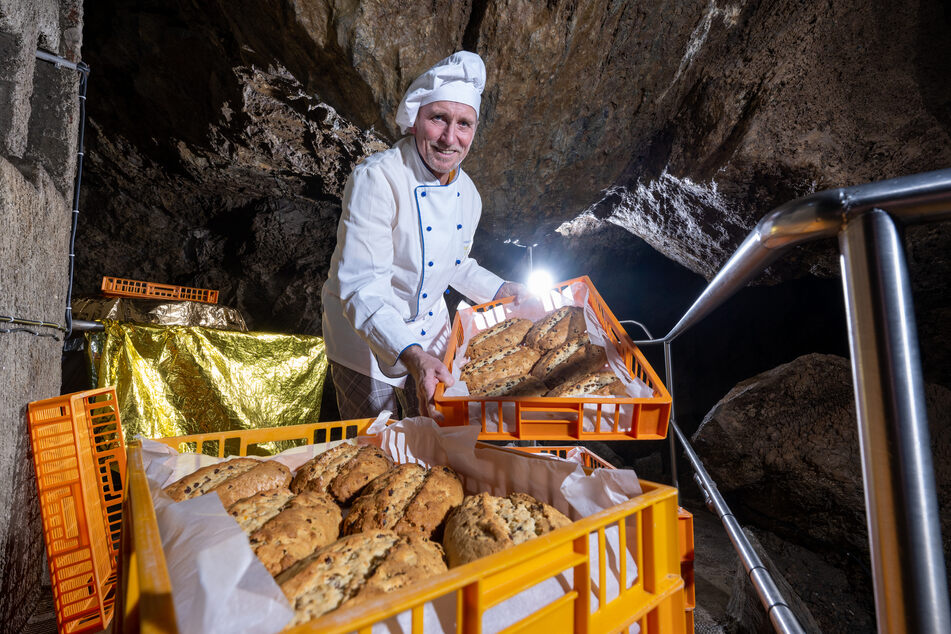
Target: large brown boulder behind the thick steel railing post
783,448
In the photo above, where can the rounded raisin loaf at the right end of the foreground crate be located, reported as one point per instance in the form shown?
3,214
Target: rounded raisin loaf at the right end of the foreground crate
484,524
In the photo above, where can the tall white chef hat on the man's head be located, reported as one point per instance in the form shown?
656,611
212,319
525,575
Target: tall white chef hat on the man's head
460,77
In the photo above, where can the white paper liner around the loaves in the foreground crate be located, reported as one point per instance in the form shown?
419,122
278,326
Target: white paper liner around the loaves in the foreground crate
218,585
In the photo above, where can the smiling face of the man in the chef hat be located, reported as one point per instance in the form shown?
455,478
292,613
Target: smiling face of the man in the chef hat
444,132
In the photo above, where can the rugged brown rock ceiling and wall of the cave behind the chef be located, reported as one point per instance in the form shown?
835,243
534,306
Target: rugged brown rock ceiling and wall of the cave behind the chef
221,133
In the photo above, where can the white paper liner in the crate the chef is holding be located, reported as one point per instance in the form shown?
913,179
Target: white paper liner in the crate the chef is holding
575,294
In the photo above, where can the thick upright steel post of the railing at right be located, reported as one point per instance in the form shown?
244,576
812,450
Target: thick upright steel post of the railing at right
908,568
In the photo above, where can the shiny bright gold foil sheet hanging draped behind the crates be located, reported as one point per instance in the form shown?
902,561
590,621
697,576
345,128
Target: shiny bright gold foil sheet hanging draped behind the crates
179,380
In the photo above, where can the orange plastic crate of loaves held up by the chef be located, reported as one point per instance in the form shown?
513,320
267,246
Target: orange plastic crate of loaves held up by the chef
544,418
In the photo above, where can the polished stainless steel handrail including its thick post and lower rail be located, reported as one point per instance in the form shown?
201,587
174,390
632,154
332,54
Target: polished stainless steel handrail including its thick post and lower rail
901,501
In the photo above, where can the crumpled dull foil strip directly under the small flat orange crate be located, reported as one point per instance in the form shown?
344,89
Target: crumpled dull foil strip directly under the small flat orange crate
152,311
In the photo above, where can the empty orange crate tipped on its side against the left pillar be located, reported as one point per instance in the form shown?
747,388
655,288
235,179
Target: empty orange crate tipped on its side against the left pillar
79,457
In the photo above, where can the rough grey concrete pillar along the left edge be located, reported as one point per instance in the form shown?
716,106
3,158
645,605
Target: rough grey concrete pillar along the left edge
38,116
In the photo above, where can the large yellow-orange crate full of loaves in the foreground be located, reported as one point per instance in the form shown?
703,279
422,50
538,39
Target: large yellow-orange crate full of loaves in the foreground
646,524
